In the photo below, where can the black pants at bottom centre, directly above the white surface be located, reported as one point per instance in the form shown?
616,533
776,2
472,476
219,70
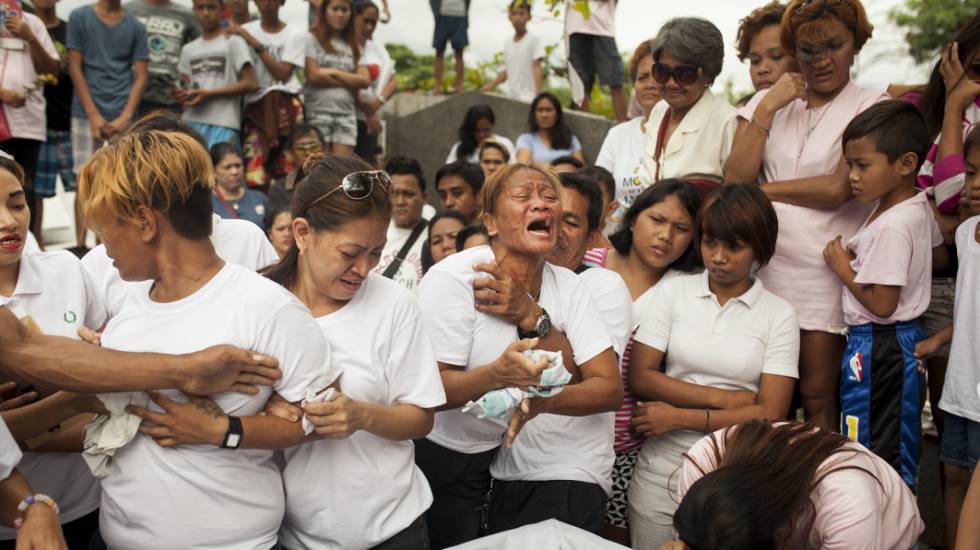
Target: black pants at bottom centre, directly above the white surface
514,504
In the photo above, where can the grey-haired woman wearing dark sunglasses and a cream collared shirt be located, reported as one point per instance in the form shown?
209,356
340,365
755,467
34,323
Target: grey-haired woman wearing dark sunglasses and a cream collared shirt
691,130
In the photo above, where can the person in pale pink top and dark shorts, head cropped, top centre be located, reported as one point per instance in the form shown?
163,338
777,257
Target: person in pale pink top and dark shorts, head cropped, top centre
592,51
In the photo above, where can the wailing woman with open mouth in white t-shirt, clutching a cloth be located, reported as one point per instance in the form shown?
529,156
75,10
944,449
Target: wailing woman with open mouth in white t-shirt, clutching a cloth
482,308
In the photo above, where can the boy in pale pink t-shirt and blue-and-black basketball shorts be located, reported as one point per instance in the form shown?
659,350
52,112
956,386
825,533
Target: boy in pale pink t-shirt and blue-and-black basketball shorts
886,268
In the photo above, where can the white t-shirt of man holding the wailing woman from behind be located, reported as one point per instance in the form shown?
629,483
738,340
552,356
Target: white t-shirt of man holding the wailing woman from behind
577,448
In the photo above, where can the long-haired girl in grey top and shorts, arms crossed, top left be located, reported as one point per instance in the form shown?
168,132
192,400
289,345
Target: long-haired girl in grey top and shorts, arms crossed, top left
333,75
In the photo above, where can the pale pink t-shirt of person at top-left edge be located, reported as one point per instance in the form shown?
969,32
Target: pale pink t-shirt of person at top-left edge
17,73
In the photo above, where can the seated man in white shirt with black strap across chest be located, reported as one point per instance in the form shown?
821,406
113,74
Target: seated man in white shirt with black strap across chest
401,259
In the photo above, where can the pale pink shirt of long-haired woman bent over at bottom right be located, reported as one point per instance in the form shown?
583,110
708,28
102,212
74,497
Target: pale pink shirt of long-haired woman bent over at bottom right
853,510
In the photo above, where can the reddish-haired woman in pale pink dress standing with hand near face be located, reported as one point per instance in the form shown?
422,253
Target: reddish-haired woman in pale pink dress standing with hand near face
789,139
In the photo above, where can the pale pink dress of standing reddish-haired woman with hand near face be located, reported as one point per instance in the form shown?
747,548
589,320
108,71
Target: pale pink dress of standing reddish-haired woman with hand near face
806,143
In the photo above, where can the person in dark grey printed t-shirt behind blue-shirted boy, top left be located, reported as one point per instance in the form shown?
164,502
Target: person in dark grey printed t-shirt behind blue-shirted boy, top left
169,27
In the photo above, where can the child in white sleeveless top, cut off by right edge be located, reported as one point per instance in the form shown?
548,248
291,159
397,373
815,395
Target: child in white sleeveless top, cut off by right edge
960,400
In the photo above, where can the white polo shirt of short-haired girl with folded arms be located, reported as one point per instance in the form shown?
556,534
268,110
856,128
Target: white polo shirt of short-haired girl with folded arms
727,347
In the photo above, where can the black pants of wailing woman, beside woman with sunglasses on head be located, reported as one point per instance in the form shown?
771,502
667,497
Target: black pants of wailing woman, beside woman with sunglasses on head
460,483
